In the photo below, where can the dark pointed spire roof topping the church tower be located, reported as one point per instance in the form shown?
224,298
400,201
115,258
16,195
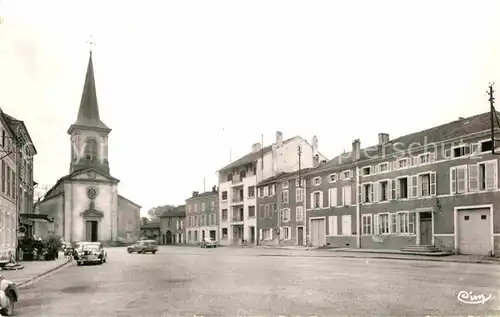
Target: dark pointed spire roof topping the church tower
88,114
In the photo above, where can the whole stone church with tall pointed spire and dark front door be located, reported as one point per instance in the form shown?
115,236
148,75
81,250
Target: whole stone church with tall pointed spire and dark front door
85,204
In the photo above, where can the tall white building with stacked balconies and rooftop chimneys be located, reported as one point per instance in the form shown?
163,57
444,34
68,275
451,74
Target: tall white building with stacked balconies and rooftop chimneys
237,184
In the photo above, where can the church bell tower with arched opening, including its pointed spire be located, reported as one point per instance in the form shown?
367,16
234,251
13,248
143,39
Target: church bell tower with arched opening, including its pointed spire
89,135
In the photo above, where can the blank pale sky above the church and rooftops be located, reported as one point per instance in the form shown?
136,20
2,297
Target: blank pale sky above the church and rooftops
185,83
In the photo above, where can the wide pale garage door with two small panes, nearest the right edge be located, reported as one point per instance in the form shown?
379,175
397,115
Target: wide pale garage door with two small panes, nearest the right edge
474,231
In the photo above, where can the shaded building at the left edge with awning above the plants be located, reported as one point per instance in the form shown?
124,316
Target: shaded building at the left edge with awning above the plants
17,151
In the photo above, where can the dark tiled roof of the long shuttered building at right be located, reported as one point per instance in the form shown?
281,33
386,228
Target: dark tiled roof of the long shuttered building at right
450,130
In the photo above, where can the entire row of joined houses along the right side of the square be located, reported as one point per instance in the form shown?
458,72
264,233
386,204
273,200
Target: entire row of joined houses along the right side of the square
436,188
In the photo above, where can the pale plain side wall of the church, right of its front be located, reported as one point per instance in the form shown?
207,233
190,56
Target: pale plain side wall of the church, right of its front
128,221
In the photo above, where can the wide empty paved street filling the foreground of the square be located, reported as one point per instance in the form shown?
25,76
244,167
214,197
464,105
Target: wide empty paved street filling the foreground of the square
188,281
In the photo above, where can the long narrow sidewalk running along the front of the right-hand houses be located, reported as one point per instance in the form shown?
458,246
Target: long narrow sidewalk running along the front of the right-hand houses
390,254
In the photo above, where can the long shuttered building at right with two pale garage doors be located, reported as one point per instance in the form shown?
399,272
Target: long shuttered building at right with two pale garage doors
433,190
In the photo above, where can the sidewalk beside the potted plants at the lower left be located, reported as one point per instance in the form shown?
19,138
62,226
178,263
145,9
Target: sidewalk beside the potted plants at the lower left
34,269
